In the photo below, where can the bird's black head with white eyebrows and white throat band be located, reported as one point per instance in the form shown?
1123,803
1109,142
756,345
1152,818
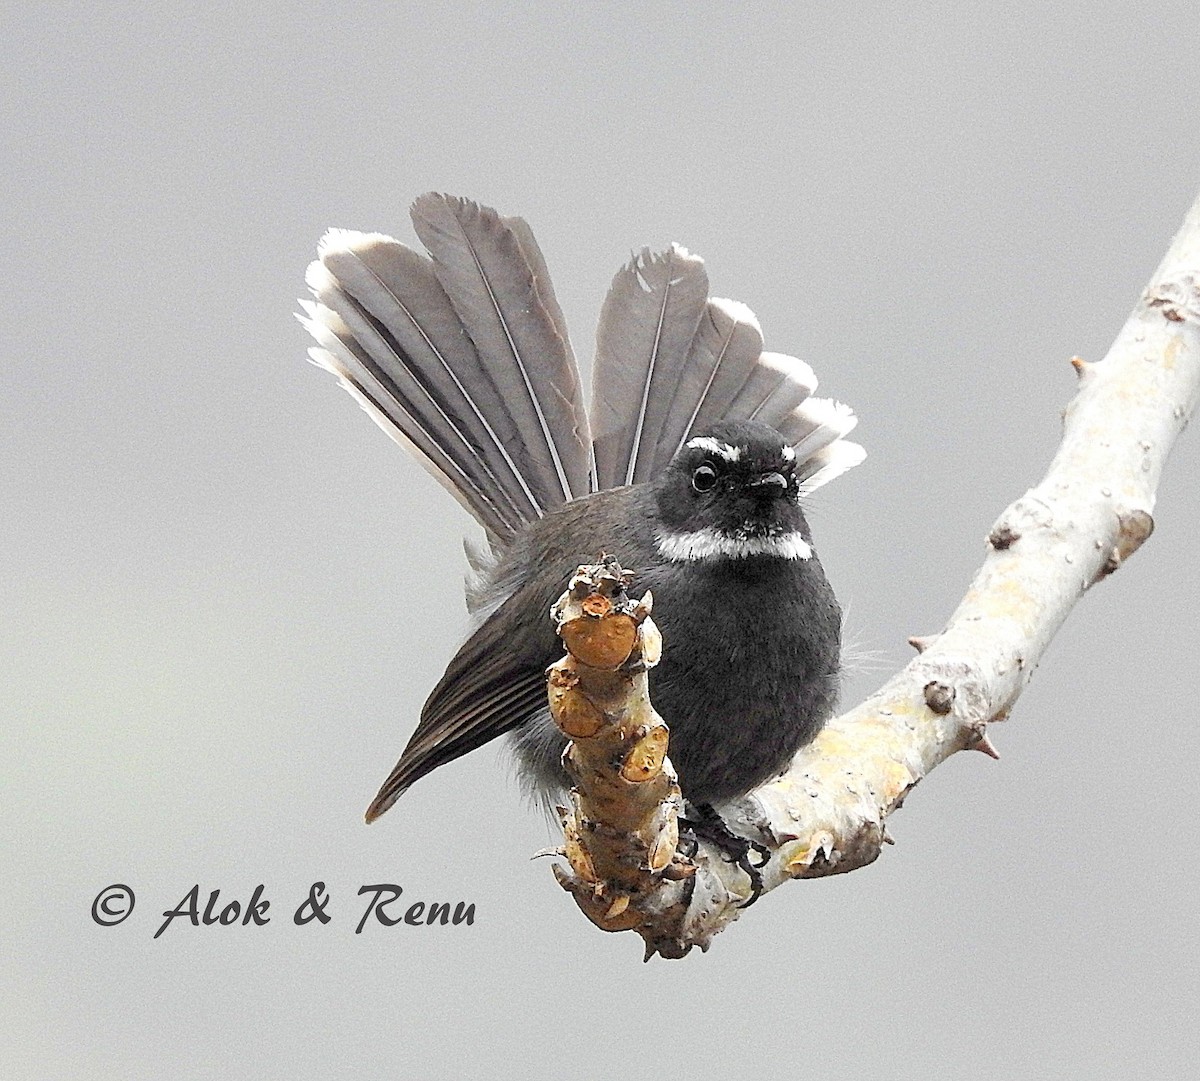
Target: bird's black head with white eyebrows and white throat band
733,494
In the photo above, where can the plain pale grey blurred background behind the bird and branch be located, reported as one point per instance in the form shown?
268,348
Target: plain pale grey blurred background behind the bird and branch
226,594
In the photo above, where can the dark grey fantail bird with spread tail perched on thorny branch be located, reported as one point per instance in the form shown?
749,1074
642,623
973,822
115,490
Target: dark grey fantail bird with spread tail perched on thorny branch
691,466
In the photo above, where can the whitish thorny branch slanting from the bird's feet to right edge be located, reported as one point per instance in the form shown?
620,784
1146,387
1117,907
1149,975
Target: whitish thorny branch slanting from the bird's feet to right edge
1082,523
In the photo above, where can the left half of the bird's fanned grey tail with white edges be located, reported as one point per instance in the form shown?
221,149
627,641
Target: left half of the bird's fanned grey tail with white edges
464,359
